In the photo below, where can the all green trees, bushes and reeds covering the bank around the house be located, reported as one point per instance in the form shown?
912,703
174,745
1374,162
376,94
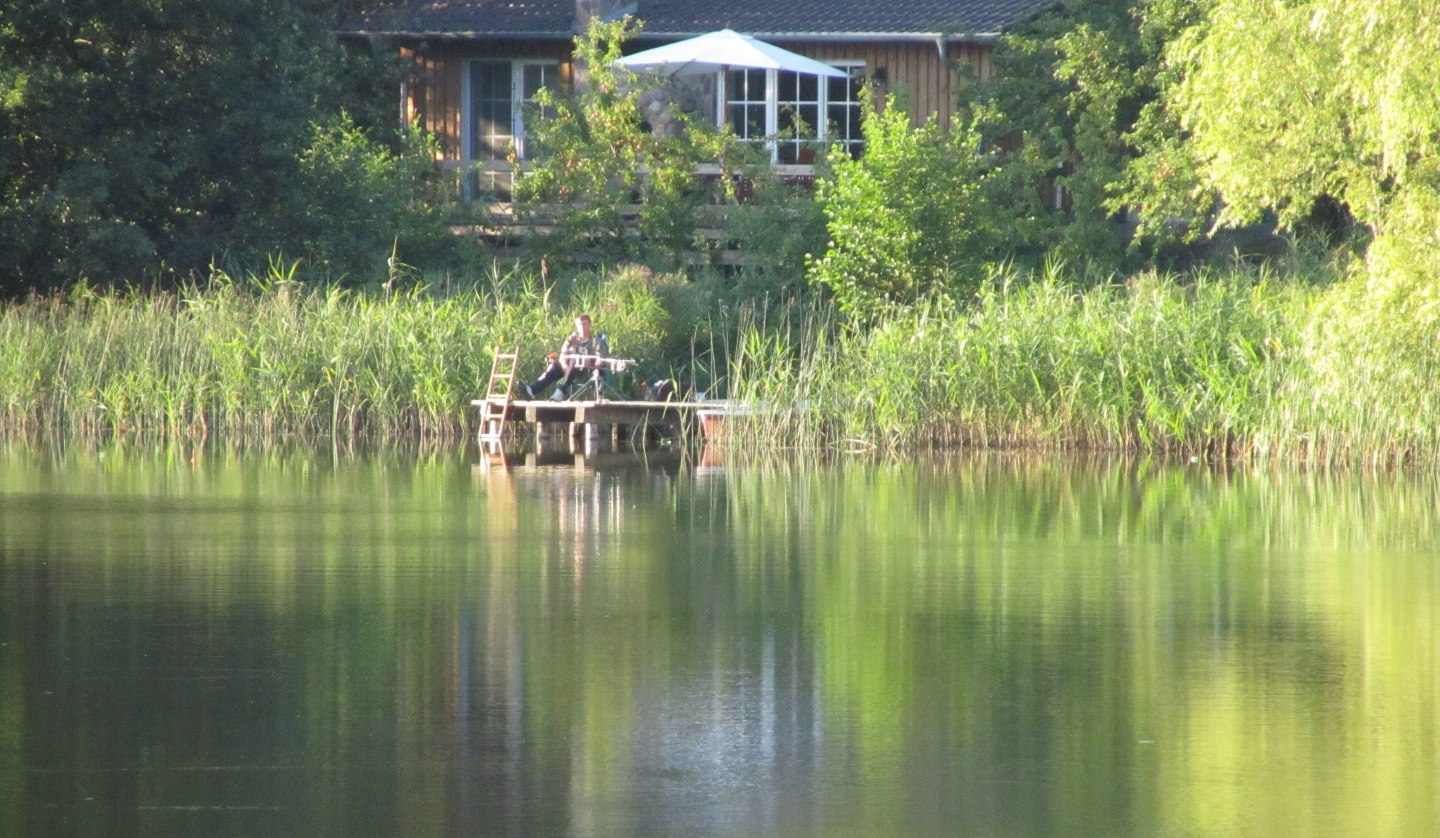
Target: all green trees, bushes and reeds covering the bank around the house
994,280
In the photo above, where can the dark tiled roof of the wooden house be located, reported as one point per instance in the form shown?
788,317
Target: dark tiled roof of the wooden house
773,19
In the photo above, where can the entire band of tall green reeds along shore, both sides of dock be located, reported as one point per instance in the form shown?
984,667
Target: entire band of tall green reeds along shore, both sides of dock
1241,364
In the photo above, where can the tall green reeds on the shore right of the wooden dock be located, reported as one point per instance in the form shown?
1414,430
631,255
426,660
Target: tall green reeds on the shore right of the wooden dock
1222,365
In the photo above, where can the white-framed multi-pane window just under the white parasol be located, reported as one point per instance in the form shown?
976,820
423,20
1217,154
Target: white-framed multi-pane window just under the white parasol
794,113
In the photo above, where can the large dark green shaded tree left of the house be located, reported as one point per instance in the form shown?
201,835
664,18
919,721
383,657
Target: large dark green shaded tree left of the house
142,139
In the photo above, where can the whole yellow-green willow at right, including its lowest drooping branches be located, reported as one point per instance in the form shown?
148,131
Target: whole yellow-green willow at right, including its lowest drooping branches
1292,106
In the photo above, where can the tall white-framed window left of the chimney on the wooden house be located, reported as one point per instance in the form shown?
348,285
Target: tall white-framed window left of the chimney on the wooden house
496,97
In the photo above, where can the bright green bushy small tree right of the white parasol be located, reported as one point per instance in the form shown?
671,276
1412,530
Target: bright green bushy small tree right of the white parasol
904,220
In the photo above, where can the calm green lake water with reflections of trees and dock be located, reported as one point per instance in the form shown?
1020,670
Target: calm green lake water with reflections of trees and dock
318,643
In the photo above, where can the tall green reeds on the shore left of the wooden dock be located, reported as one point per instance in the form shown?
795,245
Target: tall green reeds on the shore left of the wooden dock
266,358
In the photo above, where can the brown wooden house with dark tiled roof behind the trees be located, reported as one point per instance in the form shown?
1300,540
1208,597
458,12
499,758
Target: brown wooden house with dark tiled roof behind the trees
477,63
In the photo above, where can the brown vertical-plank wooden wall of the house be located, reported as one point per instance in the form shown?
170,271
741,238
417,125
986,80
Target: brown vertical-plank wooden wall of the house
433,91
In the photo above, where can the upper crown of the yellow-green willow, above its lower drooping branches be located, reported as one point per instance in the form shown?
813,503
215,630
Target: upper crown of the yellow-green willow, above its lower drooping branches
1294,103
